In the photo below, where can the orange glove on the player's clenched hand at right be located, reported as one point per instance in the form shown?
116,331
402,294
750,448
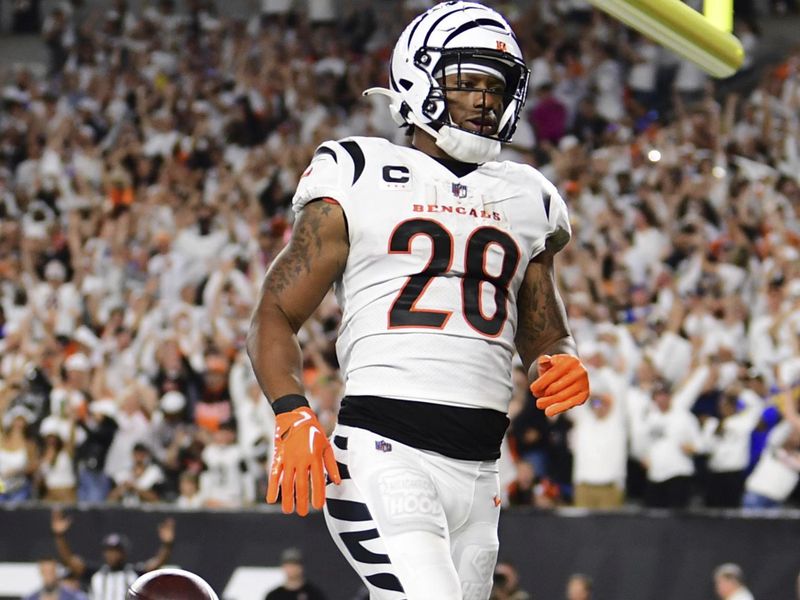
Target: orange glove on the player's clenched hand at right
562,383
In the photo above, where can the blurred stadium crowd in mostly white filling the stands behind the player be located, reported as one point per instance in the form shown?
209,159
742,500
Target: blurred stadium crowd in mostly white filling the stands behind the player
145,184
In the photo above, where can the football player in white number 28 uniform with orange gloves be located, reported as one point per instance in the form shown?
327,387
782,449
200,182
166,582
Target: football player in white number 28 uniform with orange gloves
442,262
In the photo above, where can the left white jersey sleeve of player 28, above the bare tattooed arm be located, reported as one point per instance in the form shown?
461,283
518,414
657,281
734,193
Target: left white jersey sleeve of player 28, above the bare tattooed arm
324,177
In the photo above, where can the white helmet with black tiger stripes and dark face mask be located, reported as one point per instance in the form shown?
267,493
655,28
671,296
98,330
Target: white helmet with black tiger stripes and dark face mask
455,37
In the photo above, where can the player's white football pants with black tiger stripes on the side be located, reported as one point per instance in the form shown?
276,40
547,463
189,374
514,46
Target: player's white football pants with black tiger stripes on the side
414,525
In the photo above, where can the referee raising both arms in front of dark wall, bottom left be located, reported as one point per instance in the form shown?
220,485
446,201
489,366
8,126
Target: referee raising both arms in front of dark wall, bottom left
109,580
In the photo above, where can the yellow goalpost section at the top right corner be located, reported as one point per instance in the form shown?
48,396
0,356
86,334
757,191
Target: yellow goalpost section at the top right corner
683,30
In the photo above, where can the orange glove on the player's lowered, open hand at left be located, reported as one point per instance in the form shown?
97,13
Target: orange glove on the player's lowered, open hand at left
301,451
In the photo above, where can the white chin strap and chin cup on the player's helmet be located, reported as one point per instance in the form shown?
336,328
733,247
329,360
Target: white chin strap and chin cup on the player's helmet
457,143
